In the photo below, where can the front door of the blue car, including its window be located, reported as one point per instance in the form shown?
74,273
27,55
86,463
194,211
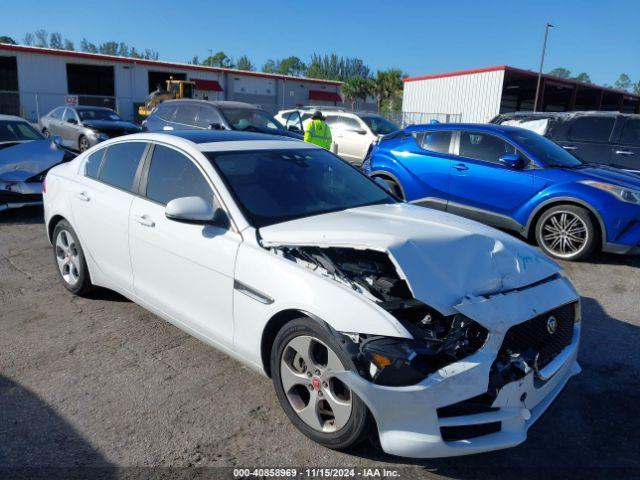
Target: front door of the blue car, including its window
483,188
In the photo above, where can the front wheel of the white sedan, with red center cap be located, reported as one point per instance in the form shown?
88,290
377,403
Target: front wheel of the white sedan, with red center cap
303,360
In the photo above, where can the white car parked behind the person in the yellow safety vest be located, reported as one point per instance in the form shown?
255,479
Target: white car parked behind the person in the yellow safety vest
353,132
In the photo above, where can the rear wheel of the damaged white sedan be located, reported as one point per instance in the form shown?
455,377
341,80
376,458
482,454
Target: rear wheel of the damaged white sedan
70,260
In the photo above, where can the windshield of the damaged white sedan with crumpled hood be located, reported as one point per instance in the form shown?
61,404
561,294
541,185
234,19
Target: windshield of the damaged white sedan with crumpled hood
274,186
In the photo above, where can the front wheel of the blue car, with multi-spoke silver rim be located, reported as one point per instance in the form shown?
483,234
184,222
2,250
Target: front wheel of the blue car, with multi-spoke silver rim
566,232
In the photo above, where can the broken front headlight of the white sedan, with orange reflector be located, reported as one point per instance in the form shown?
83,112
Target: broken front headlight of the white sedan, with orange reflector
401,362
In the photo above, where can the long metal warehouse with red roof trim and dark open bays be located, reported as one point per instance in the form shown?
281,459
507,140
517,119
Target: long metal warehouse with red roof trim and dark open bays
35,80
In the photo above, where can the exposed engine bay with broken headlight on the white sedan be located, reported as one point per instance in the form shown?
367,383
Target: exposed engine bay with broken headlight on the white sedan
437,340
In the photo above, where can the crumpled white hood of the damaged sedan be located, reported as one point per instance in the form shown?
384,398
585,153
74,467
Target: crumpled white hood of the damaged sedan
444,258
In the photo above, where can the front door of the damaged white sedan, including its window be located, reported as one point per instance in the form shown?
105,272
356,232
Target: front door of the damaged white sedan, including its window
184,270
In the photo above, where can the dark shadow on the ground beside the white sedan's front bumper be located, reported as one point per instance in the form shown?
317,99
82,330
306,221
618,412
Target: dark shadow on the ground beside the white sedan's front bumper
590,431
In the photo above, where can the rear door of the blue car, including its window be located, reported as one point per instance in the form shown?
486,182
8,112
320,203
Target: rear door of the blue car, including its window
429,161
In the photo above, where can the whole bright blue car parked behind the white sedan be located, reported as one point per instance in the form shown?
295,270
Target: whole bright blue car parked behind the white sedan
515,179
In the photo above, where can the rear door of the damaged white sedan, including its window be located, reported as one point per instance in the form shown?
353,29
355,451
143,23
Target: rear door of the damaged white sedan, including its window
100,202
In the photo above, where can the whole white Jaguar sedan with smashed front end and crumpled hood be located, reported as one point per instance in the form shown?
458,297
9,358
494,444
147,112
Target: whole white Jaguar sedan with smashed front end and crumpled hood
446,336
